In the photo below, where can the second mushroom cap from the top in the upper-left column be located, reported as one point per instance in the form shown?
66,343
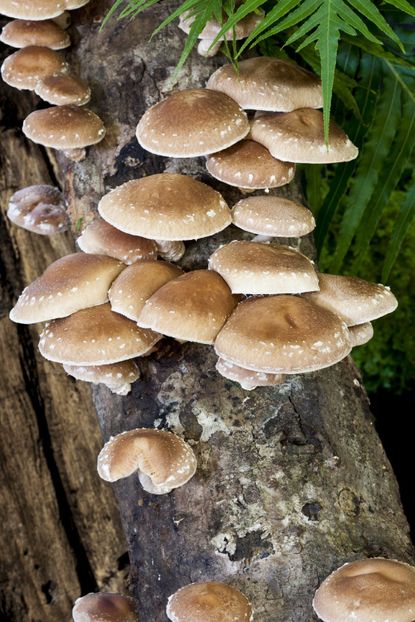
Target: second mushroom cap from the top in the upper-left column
23,33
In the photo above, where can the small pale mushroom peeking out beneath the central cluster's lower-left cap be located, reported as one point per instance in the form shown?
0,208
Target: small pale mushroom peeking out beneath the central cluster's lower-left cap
116,376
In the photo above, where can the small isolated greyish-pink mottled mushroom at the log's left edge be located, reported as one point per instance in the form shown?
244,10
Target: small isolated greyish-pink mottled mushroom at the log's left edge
39,209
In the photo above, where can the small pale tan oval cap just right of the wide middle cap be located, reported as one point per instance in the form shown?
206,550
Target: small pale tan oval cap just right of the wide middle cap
271,215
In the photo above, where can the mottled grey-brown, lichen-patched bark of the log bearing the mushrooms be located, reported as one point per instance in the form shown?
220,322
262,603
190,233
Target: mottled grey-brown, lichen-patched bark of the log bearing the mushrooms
292,481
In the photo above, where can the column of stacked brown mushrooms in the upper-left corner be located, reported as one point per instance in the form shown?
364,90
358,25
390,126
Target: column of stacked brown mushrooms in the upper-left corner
38,31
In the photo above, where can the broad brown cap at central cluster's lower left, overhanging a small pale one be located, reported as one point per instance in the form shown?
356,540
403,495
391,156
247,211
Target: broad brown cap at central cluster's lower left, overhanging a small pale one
95,336
